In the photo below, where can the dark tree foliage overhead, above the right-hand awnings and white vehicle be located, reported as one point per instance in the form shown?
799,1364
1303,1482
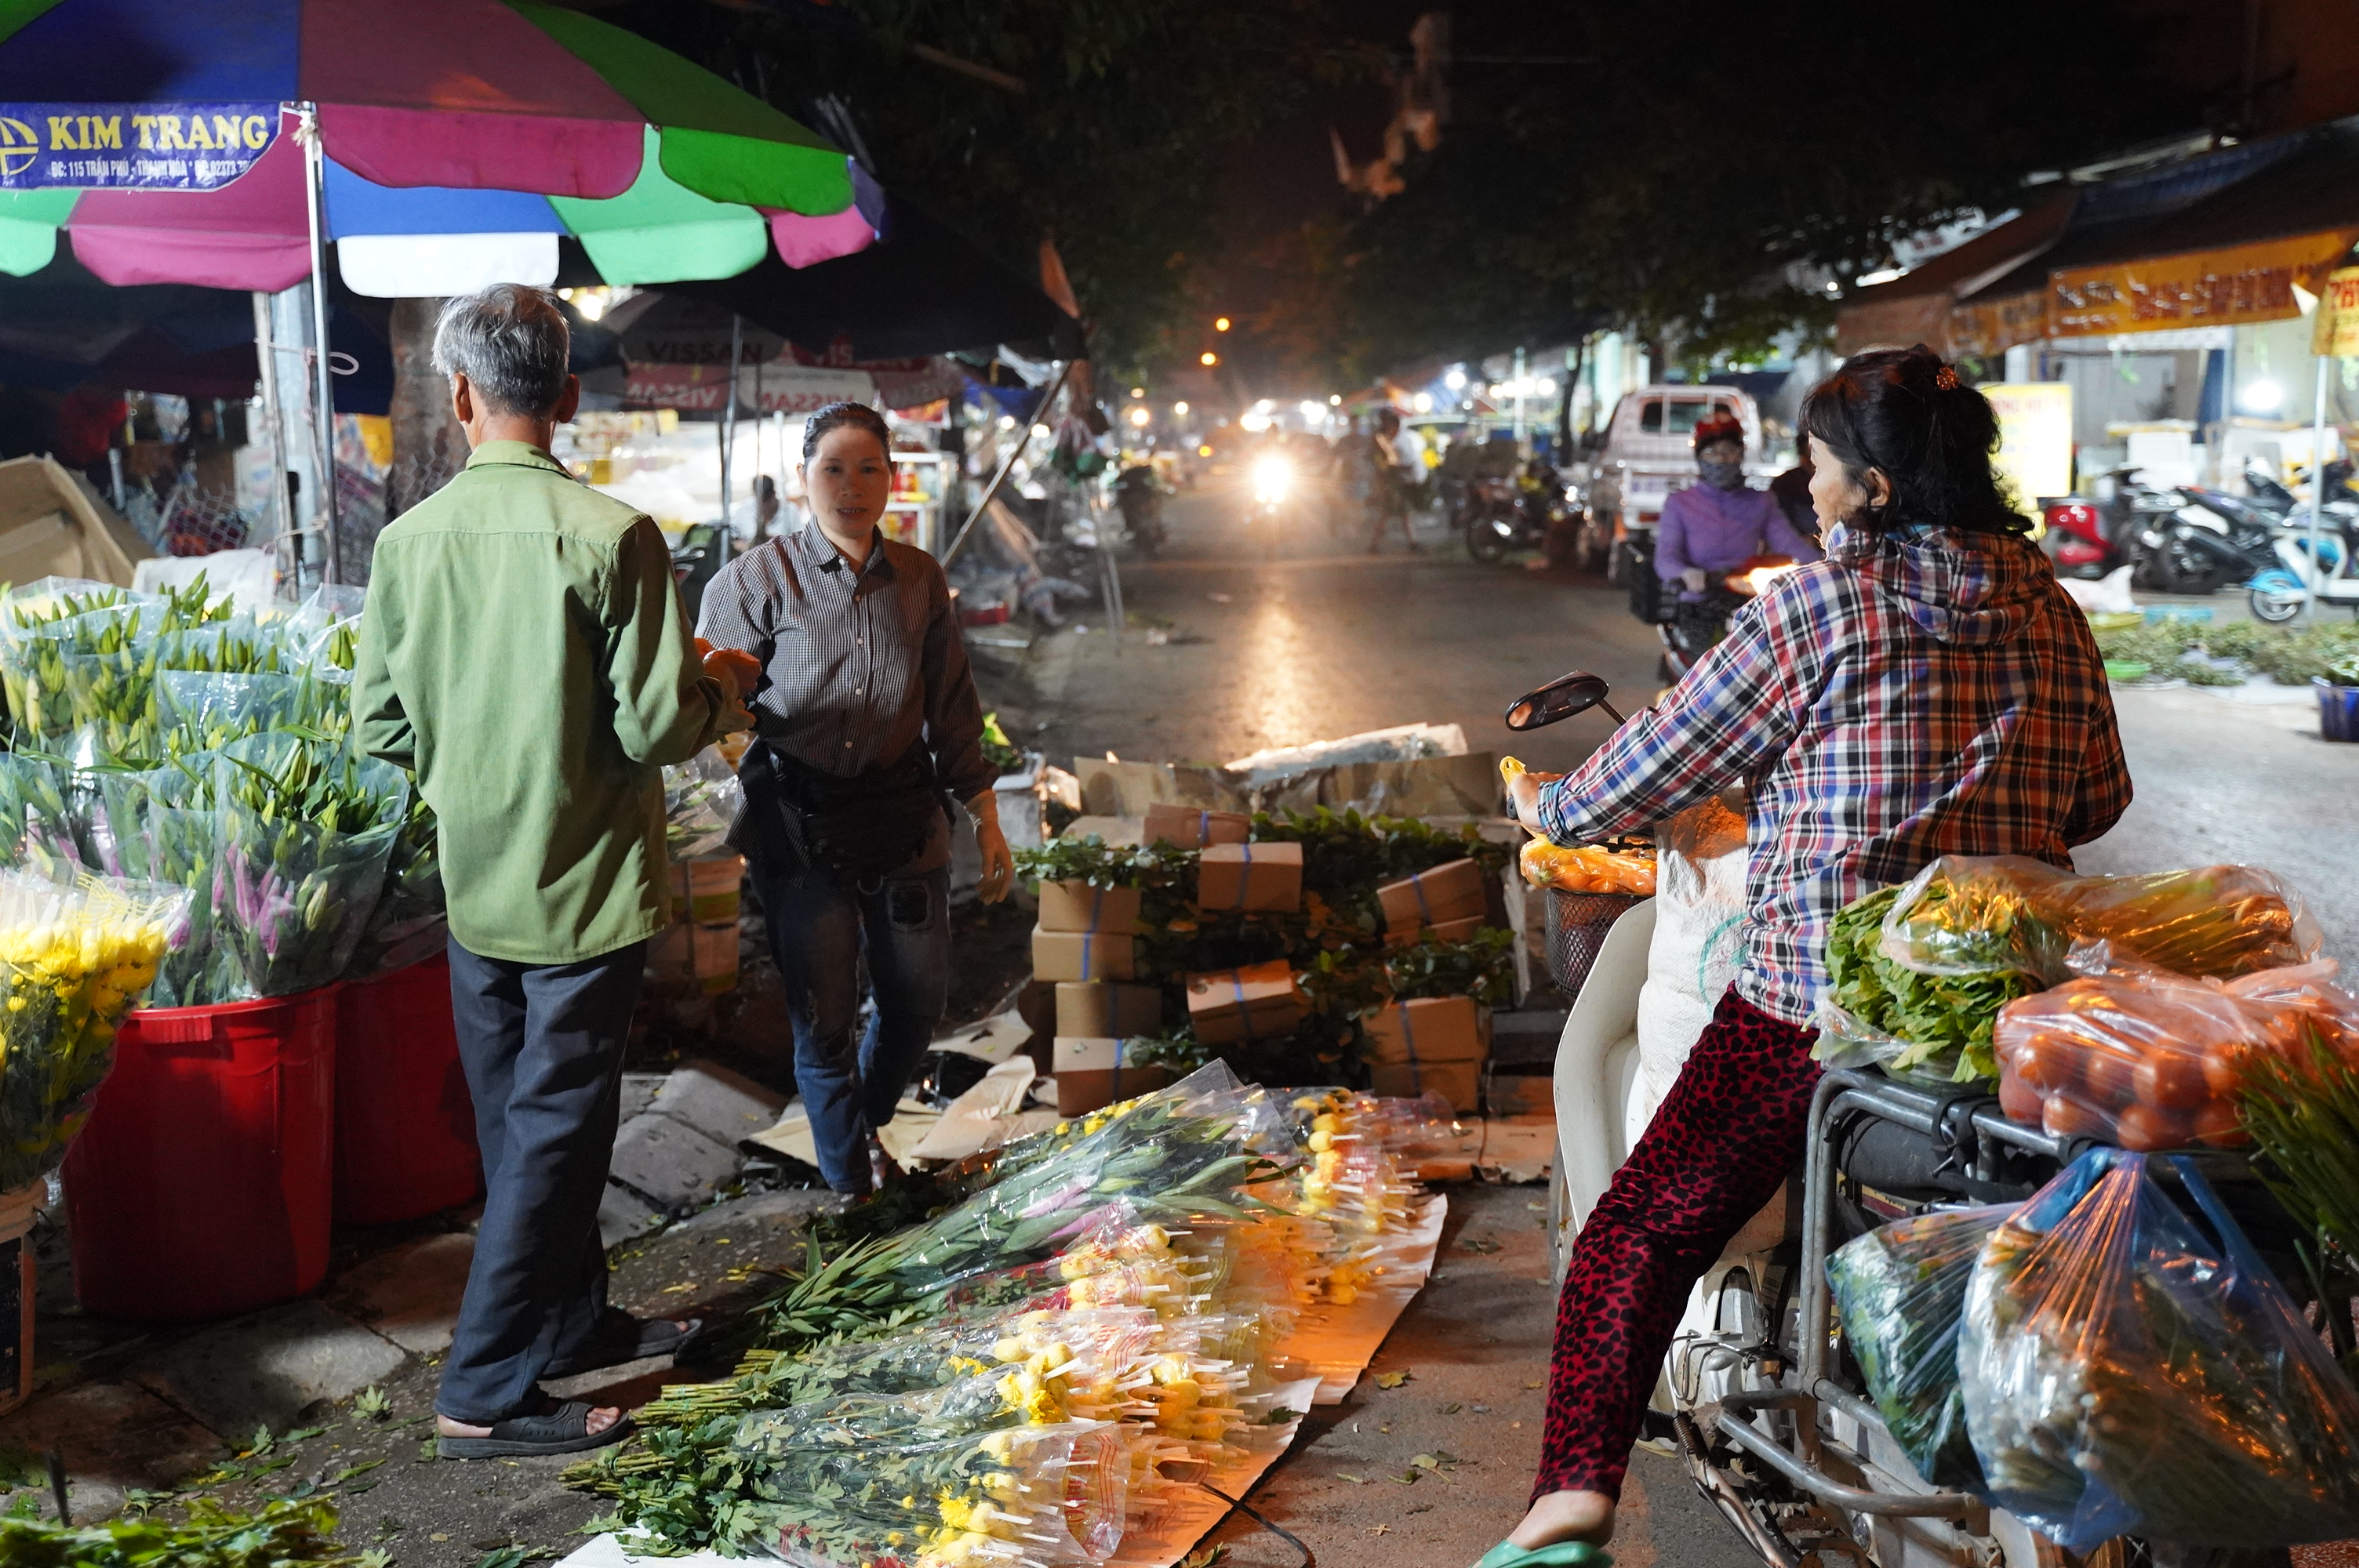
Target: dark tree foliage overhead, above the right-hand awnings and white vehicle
1700,173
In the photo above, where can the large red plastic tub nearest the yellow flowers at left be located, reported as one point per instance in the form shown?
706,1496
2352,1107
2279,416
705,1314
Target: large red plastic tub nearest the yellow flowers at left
199,1187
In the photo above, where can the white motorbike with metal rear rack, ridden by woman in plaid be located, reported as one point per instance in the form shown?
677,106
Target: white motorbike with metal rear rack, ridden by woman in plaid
1759,1395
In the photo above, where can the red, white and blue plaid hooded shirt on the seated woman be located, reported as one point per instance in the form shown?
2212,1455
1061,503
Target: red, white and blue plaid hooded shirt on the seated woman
1900,701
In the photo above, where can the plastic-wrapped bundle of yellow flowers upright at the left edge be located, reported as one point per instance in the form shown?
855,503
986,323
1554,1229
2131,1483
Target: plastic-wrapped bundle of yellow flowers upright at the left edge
74,958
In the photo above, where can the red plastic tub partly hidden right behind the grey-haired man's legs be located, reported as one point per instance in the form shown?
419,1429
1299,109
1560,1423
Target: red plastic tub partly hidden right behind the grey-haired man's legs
405,1124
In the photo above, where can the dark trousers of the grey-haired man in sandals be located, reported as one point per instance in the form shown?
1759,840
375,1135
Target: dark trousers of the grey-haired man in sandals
544,1055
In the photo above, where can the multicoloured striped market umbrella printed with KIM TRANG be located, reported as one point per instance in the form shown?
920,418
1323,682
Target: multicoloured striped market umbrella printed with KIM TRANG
459,140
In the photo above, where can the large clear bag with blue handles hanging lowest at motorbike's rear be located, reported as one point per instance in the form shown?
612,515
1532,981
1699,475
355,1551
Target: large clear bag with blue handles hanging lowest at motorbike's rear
2129,1371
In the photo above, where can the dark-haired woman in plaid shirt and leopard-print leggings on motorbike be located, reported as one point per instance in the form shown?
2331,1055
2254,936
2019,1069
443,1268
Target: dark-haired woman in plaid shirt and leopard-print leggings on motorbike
1928,690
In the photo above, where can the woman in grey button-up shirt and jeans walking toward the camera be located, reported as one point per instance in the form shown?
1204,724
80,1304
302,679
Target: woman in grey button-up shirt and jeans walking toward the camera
867,725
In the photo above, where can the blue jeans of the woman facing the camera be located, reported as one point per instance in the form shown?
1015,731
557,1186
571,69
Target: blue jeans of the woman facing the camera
820,930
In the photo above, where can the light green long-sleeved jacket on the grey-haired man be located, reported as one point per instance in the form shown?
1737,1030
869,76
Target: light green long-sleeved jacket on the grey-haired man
525,652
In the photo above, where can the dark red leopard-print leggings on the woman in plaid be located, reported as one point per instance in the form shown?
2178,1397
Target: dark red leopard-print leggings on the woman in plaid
1716,1152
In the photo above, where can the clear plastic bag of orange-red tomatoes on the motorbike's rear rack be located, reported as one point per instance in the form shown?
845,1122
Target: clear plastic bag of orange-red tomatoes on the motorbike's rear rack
2153,1060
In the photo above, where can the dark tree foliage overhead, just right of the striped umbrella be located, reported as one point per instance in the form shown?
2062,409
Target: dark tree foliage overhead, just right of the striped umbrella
1112,147
